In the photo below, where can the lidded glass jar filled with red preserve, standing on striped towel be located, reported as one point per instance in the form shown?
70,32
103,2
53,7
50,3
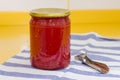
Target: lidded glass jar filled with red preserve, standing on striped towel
50,38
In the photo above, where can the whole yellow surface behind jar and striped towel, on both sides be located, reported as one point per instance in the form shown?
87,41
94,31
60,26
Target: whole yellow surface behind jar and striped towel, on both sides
14,28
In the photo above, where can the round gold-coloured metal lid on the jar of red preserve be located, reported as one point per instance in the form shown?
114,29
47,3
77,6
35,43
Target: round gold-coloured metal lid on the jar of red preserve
50,12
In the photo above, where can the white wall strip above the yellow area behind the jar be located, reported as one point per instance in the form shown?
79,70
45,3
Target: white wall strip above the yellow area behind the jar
25,5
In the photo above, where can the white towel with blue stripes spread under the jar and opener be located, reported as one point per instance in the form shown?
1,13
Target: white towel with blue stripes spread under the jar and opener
99,48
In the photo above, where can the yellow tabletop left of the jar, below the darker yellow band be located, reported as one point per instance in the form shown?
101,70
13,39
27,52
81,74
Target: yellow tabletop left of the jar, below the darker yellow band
12,39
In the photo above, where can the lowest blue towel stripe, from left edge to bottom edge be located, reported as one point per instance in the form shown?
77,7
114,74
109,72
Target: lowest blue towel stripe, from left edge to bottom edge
26,75
